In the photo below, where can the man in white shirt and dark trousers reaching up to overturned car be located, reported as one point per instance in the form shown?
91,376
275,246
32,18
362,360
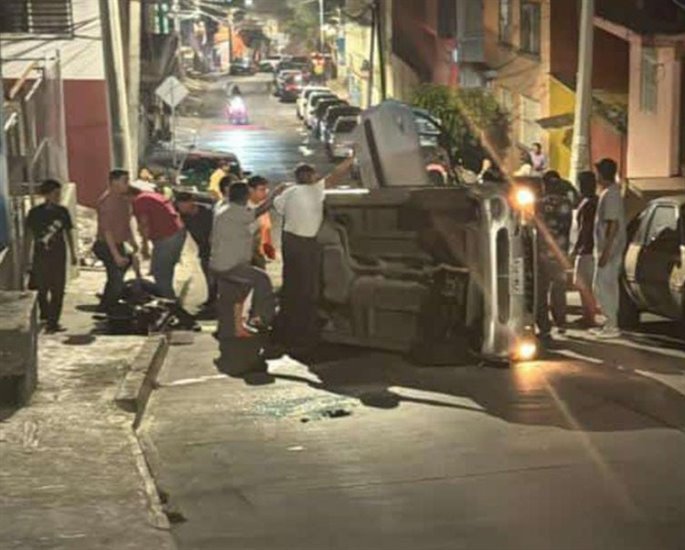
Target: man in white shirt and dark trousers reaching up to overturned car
301,206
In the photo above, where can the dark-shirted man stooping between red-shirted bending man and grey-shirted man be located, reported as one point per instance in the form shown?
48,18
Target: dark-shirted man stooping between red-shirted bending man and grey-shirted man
198,219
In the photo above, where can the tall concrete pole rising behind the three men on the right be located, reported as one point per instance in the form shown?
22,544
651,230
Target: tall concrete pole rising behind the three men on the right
580,151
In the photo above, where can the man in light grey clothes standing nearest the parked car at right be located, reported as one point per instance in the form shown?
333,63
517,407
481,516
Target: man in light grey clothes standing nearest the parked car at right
610,243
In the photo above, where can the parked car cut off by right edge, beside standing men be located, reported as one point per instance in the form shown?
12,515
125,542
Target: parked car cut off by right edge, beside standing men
654,264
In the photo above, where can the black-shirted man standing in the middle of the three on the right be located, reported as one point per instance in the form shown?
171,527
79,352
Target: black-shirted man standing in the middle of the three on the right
583,251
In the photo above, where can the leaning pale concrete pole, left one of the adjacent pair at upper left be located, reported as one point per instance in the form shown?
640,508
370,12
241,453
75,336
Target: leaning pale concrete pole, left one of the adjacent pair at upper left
116,83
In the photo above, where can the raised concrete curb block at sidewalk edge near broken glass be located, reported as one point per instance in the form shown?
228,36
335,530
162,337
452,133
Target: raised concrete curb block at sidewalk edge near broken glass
134,390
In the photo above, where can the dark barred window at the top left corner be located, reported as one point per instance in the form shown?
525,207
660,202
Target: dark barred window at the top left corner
37,17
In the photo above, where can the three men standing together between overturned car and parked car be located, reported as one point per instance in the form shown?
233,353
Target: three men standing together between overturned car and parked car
596,256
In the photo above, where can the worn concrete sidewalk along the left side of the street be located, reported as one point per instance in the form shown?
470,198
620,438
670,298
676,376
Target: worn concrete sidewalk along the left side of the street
72,473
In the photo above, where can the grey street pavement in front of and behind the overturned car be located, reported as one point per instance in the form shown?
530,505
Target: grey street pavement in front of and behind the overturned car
583,449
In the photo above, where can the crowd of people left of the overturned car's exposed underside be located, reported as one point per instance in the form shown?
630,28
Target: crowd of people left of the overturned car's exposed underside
233,236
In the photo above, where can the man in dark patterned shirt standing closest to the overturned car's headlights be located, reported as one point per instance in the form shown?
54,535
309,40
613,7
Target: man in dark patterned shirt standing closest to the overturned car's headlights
555,217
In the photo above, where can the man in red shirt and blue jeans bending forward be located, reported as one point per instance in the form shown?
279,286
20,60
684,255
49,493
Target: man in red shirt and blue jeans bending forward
159,222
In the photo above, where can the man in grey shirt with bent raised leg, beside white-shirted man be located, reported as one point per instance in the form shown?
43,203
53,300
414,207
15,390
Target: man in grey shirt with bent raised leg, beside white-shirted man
231,258
